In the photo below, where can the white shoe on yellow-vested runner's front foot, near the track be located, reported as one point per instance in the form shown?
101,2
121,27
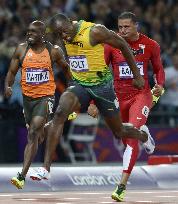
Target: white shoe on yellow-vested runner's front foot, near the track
40,174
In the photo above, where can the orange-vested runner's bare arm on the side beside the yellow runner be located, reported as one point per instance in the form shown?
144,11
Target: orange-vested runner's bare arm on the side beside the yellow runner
58,57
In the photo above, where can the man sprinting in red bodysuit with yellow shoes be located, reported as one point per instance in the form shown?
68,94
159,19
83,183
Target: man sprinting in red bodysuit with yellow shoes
134,104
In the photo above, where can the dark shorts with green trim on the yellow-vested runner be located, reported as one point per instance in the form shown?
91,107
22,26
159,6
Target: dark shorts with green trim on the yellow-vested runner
103,96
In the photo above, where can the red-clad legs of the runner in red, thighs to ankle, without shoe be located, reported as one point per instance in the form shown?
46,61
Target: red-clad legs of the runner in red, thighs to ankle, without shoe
133,112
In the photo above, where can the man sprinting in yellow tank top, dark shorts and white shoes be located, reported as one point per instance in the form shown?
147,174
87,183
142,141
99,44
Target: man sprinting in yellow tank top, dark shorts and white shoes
92,81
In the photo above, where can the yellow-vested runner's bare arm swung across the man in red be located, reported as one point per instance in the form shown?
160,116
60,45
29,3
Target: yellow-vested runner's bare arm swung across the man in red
100,34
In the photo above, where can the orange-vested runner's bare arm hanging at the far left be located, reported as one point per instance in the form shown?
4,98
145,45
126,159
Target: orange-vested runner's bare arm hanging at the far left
13,69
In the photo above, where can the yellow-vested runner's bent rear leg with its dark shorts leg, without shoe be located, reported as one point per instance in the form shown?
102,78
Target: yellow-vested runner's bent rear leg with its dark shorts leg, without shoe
106,101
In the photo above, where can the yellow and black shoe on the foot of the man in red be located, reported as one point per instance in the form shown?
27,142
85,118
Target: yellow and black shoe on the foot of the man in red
119,193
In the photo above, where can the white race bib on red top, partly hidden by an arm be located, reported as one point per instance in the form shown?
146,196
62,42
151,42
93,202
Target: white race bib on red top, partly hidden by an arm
125,71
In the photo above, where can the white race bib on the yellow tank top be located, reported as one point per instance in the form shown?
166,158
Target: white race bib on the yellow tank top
78,63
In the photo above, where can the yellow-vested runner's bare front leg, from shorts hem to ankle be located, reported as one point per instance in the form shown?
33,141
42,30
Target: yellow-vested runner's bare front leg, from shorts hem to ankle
67,104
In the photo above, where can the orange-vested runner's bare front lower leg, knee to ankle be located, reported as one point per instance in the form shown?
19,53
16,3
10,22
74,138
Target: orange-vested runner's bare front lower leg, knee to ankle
31,148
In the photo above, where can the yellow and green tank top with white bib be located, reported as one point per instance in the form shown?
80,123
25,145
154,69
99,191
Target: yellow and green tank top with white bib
87,62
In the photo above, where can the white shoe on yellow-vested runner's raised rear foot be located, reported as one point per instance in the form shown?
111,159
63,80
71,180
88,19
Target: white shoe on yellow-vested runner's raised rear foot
149,145
